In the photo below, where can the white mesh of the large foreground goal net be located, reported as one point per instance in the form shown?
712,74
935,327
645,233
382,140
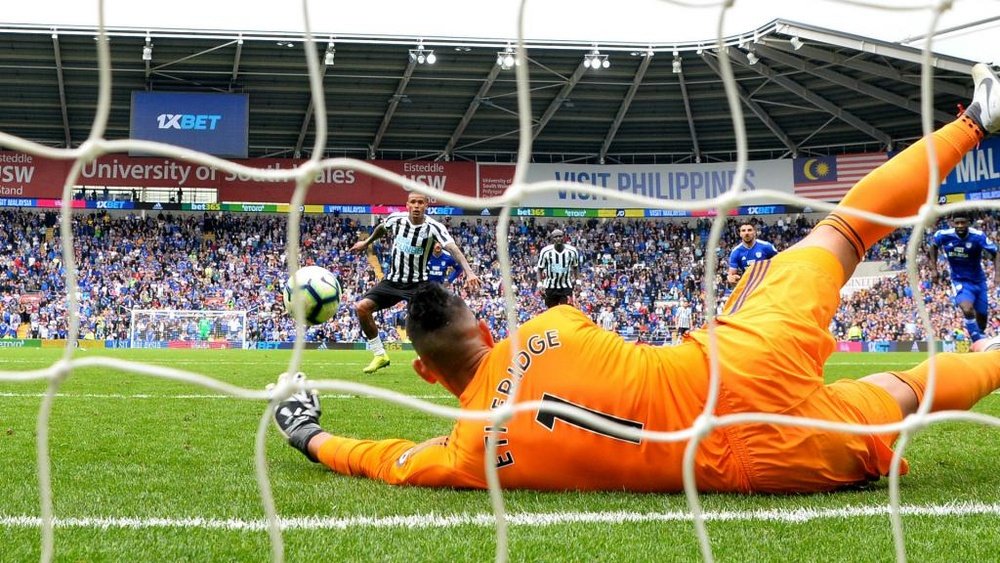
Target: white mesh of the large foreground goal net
97,145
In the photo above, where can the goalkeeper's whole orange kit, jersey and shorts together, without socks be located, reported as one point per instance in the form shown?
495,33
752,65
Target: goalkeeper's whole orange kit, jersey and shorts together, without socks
773,342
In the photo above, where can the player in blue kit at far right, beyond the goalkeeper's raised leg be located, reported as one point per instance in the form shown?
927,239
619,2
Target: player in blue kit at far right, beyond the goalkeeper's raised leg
964,248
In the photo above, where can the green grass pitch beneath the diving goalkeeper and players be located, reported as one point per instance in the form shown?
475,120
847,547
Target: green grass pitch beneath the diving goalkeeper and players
152,470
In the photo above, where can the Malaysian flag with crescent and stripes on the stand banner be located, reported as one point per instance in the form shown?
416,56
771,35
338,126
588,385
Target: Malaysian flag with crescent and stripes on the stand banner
829,177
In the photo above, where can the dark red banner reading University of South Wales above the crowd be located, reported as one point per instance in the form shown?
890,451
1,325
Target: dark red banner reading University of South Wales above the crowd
27,176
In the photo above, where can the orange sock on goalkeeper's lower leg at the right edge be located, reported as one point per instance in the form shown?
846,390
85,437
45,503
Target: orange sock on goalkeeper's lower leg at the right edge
962,379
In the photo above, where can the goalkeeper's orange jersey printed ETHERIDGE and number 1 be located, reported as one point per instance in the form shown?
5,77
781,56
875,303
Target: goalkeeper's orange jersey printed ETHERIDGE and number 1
564,358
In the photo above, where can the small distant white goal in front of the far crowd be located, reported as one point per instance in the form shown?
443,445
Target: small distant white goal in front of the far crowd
197,328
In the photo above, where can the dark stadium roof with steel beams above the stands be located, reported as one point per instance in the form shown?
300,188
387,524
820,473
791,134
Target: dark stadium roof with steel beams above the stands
811,91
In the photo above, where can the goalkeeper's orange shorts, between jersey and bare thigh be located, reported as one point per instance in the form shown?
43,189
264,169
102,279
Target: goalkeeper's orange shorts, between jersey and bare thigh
773,340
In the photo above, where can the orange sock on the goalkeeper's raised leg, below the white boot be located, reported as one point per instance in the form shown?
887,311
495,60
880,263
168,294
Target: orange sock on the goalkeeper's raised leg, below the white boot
899,187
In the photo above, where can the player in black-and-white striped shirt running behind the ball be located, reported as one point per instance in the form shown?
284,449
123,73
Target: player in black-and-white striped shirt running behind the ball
413,235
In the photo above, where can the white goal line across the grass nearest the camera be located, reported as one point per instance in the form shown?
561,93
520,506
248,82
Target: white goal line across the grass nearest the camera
423,521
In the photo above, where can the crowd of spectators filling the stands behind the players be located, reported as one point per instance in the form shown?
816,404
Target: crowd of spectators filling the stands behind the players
638,276
